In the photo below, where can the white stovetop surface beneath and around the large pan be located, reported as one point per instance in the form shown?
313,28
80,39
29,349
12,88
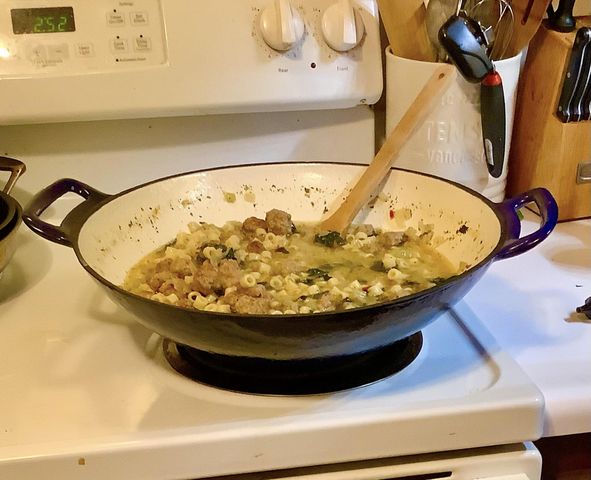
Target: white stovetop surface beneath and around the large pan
80,375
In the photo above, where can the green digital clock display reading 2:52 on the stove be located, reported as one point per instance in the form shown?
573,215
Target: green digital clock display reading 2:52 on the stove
43,20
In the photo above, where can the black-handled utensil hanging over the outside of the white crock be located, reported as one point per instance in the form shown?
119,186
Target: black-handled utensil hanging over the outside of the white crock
465,43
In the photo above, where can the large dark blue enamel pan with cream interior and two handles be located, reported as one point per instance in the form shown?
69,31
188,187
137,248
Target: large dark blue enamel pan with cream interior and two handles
110,233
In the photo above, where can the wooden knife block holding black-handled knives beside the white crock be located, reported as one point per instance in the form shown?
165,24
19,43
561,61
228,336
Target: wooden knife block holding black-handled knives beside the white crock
544,151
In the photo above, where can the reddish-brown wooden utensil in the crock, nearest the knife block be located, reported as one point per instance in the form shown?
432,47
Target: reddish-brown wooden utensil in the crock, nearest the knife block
528,16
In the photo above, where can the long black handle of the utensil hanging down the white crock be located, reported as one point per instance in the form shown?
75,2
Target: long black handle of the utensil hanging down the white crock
492,118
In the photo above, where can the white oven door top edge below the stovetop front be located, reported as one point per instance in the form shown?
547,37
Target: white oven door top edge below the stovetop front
506,462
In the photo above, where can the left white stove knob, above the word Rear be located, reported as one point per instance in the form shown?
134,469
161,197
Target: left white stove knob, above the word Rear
282,25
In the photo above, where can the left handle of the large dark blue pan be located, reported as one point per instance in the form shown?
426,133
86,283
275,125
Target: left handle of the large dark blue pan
47,196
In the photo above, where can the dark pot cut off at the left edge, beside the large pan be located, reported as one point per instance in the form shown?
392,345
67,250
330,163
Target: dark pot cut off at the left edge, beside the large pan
10,210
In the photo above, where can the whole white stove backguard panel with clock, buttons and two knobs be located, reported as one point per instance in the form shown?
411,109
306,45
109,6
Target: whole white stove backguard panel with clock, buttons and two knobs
70,60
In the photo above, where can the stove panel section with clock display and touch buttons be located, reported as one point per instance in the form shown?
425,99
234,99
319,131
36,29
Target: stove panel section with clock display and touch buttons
55,37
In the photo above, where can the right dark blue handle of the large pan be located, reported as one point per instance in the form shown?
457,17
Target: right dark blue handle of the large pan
508,209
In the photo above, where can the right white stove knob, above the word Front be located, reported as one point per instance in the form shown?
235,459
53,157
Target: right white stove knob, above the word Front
342,26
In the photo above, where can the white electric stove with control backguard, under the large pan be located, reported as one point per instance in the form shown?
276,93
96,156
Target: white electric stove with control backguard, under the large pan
86,390
